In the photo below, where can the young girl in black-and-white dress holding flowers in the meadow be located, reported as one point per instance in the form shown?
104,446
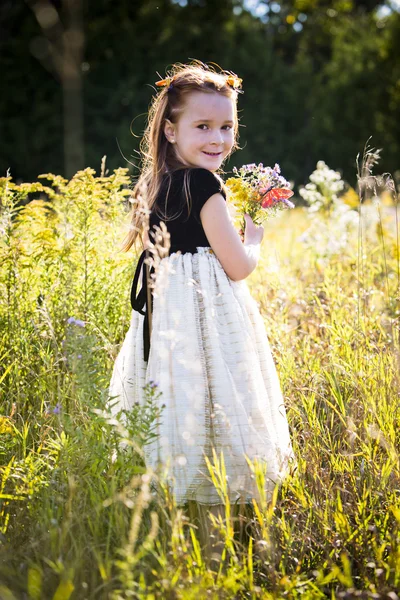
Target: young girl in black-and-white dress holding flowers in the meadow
198,334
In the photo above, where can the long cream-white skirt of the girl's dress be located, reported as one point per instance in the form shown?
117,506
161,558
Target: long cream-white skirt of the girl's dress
211,359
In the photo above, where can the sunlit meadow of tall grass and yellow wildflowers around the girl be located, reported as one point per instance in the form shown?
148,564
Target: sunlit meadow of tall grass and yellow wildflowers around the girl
78,518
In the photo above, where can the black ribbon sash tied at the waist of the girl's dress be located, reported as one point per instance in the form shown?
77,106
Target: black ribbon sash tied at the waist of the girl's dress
139,299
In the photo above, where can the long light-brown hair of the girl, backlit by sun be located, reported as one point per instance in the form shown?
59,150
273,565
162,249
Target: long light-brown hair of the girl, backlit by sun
158,155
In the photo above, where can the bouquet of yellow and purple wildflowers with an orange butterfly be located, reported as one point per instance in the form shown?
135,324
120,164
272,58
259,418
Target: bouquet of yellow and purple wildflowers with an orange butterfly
259,191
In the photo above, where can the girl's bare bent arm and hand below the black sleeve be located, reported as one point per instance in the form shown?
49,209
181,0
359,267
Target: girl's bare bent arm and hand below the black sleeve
237,259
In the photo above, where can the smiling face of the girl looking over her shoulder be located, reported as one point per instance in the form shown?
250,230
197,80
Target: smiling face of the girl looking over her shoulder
203,135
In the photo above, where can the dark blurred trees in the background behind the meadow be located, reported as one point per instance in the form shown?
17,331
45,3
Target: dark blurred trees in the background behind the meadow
78,75
